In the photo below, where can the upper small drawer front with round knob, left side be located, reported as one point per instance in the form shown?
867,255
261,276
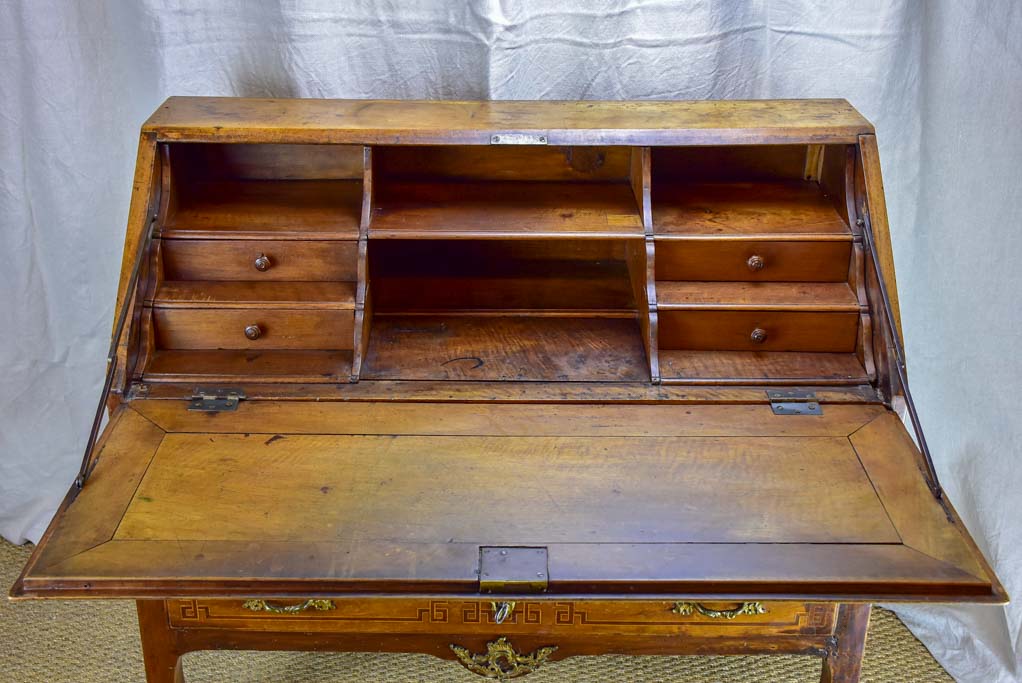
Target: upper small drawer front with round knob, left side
260,260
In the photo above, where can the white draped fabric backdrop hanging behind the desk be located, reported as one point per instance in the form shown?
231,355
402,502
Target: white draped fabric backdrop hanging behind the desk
941,80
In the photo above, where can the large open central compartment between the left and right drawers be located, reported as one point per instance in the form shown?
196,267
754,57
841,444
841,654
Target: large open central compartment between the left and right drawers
508,309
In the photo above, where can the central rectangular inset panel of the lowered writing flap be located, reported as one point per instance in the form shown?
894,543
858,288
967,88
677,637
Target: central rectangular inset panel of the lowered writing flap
353,488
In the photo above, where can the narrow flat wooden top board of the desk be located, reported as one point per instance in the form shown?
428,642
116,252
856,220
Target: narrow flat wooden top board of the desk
383,122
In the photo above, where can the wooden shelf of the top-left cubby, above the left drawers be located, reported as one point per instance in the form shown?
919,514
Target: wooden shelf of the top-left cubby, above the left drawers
265,209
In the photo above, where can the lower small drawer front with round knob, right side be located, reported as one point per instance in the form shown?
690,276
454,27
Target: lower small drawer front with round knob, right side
758,331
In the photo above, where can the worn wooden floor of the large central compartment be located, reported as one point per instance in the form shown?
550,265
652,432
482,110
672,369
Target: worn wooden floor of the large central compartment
505,348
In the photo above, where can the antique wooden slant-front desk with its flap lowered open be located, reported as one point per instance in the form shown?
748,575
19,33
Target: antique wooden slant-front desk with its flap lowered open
506,383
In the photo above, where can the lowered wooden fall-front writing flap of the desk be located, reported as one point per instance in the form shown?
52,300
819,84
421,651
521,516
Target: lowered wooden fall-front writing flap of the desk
297,497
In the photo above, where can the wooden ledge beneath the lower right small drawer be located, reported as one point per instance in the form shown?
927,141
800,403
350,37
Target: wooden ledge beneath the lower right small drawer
746,368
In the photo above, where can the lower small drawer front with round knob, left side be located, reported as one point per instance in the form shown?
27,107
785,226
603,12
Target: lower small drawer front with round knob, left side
254,329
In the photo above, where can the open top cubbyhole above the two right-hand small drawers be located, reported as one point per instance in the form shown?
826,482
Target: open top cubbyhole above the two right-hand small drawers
745,192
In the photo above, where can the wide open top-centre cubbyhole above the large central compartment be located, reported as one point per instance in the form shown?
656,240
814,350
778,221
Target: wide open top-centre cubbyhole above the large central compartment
504,192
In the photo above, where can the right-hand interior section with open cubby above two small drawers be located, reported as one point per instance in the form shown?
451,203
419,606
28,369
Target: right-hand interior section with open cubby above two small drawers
753,261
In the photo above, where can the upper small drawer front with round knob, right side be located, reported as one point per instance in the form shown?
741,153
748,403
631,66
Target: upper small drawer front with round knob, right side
742,260
